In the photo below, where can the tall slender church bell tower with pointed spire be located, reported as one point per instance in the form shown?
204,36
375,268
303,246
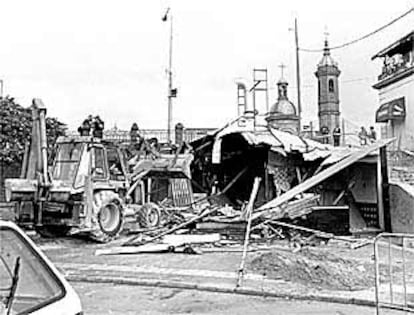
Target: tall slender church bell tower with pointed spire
328,92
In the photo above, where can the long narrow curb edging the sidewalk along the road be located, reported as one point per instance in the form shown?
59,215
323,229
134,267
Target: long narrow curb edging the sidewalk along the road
219,289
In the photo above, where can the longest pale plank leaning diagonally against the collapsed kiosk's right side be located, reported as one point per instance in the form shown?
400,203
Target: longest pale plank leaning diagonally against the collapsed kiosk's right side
326,173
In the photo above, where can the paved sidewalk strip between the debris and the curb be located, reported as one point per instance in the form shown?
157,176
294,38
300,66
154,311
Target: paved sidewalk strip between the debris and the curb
208,280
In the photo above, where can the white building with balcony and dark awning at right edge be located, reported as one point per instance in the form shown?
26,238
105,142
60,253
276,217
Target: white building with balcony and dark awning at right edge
396,93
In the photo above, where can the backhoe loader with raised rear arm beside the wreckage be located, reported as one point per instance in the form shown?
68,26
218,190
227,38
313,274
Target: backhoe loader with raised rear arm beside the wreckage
87,187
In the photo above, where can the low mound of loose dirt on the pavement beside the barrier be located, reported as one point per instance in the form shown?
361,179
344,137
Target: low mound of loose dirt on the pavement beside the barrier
315,268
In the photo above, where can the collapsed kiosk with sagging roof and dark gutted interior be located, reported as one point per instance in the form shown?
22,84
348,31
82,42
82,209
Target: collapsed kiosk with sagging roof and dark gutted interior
335,189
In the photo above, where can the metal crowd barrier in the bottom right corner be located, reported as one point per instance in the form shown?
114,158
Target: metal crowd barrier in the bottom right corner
393,273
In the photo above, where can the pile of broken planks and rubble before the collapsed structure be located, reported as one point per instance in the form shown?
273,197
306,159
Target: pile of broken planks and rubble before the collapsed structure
207,225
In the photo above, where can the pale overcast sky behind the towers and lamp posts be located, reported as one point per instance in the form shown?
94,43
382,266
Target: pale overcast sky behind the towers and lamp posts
110,58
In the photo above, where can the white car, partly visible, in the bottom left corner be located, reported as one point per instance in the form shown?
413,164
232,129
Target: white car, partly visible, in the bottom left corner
29,283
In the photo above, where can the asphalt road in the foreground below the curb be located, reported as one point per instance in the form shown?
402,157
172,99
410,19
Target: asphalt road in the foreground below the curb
121,299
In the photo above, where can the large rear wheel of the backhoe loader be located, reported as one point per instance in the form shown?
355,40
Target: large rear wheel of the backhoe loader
110,219
